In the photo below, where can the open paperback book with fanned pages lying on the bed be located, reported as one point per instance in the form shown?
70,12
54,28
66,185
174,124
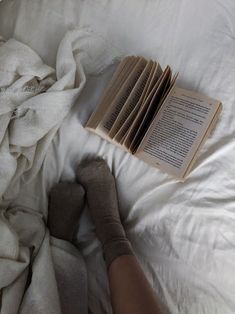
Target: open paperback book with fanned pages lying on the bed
145,113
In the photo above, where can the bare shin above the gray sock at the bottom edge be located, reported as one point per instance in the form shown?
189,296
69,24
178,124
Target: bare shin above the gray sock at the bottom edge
131,293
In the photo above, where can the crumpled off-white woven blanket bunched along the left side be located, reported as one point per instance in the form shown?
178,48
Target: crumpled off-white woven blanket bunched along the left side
34,100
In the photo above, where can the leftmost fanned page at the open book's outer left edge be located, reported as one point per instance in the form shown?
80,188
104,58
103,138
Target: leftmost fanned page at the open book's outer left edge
117,80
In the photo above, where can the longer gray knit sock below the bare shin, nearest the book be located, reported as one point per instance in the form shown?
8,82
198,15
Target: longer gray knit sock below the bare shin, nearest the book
101,195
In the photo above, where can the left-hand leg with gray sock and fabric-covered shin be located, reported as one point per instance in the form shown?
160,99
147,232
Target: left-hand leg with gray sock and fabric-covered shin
66,202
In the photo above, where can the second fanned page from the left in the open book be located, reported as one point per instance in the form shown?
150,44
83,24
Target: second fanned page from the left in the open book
117,103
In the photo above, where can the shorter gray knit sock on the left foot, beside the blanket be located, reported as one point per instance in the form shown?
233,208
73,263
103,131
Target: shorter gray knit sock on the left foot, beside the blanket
66,201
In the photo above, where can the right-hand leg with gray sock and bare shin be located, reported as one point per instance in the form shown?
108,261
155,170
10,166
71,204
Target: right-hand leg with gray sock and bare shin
130,291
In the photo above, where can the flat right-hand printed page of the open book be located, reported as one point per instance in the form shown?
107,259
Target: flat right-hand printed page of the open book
177,131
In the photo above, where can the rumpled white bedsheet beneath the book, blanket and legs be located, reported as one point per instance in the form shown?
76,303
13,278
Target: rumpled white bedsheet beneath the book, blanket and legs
183,234
